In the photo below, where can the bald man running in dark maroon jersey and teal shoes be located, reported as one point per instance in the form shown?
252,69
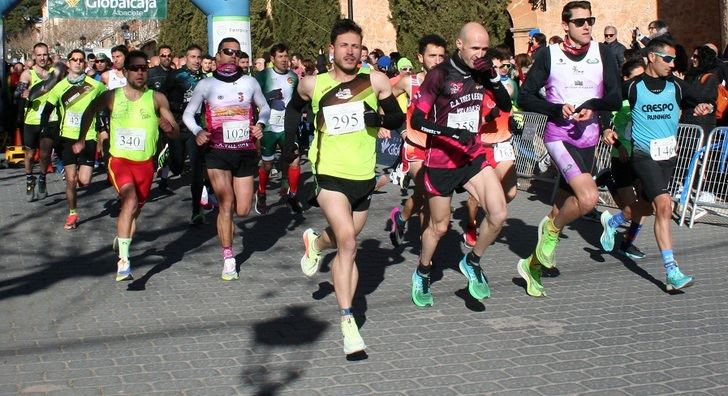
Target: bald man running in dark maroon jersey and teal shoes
448,109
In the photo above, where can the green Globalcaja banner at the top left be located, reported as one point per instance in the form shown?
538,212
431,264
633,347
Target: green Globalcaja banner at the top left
108,9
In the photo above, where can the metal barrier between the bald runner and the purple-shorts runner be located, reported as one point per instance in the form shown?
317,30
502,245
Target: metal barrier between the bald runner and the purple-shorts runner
532,159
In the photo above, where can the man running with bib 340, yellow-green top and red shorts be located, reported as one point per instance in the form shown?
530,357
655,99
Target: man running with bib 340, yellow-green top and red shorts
137,113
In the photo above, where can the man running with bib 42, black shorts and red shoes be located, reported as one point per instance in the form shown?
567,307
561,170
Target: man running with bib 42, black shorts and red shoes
71,97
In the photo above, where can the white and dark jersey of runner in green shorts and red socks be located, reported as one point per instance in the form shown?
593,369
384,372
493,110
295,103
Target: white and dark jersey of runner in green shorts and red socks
278,90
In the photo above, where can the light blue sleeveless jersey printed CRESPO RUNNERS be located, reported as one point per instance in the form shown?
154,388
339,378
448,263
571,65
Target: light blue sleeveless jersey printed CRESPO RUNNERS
654,115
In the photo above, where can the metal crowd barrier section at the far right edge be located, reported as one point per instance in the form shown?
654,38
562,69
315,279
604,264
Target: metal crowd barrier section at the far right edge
711,193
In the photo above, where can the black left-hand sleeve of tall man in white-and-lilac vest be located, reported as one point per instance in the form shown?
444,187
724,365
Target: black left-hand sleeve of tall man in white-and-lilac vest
529,98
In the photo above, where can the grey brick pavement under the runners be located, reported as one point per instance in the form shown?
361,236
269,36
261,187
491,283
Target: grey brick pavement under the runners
606,327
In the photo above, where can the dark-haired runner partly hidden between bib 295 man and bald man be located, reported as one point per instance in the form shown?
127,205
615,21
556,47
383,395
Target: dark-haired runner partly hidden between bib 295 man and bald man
432,50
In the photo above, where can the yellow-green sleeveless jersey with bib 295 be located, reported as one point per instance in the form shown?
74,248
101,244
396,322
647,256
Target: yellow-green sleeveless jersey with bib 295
343,147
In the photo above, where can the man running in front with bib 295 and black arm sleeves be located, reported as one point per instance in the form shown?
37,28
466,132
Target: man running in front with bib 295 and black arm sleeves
343,154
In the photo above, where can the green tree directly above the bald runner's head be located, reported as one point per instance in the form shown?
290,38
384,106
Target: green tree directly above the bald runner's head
413,19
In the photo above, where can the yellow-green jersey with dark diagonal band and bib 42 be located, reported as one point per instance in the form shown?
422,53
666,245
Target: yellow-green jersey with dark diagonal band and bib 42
72,100
